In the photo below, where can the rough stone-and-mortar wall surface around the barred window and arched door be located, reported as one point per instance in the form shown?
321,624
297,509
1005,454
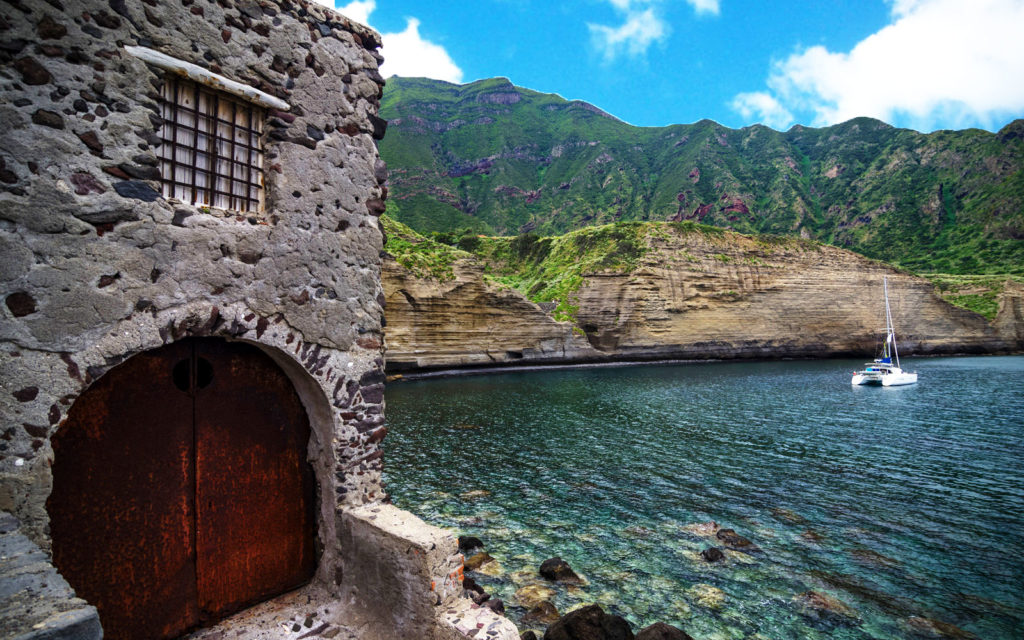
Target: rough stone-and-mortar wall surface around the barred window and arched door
97,266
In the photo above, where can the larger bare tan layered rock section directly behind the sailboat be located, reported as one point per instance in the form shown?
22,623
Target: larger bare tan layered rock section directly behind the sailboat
737,296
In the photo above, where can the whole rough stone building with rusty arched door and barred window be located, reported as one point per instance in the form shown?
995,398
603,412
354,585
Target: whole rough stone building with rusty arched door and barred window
192,393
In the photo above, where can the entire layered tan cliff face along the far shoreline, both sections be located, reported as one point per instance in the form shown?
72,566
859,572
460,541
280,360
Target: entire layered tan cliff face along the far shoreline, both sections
694,295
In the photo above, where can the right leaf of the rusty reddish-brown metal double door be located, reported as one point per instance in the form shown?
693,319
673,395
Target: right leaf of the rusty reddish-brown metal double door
254,487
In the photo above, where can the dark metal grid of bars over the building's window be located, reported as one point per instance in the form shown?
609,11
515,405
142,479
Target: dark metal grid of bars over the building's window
212,153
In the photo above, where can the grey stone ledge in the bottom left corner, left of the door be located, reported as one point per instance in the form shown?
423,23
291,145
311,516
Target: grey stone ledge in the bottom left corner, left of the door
36,604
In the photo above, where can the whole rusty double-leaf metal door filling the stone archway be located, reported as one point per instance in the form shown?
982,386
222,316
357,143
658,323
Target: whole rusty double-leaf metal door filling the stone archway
182,491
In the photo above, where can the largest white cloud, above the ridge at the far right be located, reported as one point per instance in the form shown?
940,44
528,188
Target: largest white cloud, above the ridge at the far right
938,64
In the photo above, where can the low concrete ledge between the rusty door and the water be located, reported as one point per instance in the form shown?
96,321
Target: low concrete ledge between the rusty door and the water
407,576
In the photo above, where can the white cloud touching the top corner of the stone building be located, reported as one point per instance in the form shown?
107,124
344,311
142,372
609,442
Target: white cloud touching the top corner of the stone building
406,53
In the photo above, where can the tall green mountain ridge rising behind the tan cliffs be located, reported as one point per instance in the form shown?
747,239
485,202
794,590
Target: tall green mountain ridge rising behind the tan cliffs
496,159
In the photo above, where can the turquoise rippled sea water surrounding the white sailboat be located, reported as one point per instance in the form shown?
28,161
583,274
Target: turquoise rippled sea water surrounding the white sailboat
902,503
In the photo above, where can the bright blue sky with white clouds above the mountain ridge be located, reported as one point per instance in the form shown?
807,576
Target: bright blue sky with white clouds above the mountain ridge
925,65
